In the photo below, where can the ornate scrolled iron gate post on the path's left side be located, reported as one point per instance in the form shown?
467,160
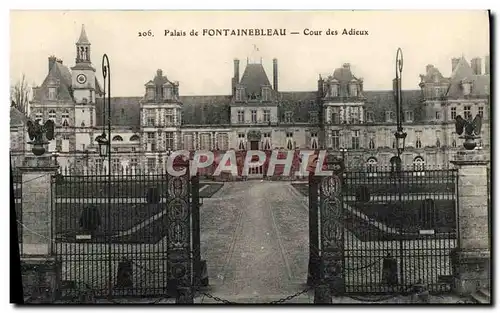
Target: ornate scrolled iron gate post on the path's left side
179,231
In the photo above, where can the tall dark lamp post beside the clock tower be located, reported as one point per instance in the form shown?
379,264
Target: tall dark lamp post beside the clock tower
105,151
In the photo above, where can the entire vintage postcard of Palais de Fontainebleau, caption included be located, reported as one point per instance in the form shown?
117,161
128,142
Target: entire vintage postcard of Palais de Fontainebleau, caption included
273,157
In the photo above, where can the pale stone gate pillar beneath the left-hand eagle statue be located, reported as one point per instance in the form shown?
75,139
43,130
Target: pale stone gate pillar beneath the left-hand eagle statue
40,269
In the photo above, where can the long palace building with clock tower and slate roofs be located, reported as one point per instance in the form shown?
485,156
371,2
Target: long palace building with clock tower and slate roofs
254,114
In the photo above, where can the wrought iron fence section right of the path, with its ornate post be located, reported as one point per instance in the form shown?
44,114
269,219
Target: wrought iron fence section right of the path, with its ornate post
384,231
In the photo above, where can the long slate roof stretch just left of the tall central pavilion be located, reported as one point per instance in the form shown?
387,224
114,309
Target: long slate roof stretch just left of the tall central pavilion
200,110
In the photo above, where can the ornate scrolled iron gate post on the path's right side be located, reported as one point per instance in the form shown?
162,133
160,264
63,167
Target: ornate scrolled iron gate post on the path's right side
332,232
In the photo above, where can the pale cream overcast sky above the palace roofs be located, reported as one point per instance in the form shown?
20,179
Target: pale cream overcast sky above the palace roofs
204,65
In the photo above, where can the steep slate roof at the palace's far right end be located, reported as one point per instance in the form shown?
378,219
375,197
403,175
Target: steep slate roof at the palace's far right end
463,72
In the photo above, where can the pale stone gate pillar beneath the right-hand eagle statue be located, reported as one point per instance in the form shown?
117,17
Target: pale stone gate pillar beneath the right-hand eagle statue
471,258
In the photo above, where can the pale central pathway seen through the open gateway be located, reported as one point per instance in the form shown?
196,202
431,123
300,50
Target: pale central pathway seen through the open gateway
255,241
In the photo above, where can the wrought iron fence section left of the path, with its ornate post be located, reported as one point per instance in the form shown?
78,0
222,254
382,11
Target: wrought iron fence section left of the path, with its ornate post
124,234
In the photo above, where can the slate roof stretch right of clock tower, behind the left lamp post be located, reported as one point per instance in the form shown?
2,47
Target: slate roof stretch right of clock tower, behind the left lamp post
125,111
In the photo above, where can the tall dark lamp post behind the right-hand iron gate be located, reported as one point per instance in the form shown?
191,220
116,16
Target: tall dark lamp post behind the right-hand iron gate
400,145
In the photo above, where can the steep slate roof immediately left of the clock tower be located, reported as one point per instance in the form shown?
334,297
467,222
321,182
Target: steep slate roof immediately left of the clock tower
58,73
